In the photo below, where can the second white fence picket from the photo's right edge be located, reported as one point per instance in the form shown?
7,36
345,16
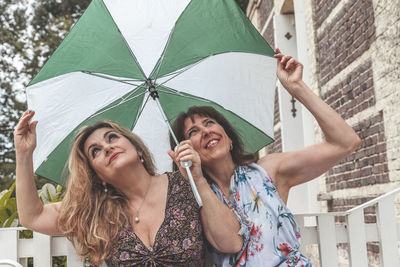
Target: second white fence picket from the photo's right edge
357,239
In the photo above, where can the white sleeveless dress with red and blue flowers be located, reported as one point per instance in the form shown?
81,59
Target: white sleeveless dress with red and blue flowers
272,237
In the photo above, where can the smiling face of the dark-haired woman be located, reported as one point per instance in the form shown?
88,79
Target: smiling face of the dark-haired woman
209,139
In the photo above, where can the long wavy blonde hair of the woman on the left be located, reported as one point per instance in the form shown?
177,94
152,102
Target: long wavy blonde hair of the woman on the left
89,217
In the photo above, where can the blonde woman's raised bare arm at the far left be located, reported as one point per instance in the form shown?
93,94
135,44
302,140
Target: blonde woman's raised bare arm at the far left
32,214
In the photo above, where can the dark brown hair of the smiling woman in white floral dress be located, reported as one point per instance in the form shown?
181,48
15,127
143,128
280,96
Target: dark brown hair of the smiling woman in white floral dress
239,155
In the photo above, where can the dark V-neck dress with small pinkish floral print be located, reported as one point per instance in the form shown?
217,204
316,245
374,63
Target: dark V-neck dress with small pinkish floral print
178,242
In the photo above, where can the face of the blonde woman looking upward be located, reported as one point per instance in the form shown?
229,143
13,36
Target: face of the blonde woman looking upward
109,153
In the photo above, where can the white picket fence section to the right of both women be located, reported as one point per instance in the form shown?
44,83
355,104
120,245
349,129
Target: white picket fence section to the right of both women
355,232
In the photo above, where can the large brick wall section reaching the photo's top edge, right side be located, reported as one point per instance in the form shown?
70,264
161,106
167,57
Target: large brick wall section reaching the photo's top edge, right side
344,39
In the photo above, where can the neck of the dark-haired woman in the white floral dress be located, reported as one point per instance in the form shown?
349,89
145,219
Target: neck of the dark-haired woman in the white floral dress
221,171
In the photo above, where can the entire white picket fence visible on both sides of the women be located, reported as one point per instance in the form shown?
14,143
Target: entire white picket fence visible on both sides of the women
326,233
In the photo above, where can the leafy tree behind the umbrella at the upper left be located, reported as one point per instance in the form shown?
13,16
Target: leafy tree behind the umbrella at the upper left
29,33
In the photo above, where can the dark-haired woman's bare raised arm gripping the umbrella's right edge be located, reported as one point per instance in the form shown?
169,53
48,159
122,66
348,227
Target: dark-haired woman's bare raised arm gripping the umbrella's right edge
292,168
